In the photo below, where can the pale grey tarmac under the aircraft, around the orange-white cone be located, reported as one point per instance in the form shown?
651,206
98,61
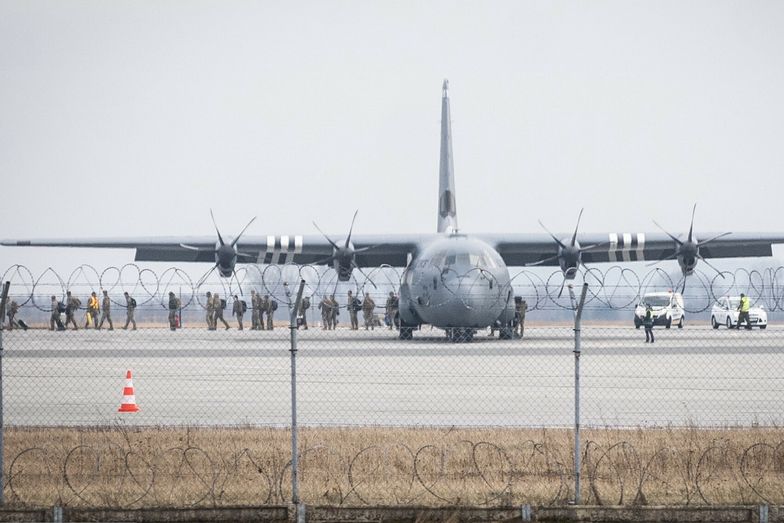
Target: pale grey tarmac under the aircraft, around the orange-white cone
694,376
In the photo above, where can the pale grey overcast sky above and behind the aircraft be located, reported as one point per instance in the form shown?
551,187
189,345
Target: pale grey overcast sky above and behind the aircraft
134,118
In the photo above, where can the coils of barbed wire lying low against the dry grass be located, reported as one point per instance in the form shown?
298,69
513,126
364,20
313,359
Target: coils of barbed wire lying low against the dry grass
478,472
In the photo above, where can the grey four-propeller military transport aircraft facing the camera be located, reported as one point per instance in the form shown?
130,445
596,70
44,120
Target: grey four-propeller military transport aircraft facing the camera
454,281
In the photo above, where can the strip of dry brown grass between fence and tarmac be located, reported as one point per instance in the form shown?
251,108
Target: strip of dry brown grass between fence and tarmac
124,467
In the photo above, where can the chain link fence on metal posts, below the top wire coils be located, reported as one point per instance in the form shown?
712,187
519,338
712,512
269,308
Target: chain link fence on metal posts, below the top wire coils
693,418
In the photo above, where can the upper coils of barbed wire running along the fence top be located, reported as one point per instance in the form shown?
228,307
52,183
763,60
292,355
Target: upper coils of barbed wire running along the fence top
614,288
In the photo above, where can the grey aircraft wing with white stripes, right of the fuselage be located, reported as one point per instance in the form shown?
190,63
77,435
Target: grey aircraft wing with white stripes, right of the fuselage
522,249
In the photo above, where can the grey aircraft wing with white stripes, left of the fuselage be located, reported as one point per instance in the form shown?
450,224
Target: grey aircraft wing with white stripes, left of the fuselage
270,249
